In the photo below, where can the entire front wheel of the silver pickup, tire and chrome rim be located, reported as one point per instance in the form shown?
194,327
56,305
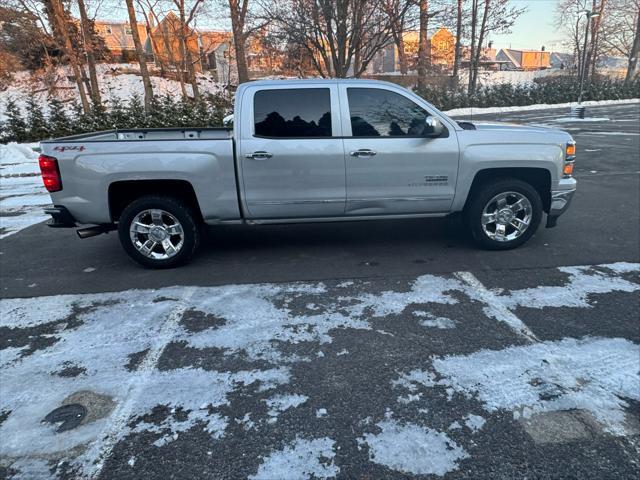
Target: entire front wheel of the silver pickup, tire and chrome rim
504,214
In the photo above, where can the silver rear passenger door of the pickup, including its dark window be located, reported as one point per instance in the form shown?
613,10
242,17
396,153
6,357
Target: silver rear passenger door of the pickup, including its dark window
292,165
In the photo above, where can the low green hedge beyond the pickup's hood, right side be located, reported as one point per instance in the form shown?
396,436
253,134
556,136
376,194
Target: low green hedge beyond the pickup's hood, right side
544,90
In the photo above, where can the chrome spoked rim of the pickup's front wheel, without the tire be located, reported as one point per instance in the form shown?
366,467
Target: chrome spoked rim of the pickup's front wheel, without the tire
506,216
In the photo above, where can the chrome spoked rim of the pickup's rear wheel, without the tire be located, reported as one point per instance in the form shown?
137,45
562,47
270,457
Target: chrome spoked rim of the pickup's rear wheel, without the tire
156,234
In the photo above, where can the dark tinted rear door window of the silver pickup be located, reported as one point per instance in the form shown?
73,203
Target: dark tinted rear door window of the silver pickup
292,113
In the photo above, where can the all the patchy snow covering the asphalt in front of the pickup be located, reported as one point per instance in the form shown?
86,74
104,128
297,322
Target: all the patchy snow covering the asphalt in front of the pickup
106,350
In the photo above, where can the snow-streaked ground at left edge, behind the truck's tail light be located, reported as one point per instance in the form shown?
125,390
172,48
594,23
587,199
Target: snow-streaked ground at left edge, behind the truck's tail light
22,194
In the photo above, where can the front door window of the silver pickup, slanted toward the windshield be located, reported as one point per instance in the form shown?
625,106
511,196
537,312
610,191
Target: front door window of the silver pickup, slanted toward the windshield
376,112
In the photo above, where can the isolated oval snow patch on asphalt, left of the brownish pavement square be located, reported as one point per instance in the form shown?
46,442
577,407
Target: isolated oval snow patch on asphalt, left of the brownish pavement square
413,449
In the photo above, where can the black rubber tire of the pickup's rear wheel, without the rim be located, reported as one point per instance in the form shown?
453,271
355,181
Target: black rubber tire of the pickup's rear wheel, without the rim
176,208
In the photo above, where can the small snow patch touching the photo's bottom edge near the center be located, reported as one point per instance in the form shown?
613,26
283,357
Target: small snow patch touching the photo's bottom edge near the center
303,459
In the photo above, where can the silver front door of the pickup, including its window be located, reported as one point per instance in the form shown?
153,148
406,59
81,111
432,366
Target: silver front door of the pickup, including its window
391,167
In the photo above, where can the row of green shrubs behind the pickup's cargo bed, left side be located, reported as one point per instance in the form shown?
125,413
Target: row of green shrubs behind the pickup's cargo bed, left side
57,120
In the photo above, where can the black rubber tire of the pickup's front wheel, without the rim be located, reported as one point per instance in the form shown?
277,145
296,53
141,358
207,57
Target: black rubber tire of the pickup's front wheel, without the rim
488,191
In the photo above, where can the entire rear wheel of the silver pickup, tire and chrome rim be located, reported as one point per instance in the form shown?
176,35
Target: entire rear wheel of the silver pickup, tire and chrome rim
159,232
